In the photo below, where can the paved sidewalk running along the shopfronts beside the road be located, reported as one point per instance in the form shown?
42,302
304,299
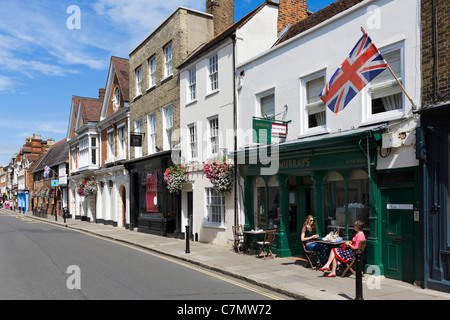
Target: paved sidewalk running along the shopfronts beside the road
285,275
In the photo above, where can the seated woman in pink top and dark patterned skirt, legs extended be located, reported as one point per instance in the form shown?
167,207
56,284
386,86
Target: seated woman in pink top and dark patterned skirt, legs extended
345,253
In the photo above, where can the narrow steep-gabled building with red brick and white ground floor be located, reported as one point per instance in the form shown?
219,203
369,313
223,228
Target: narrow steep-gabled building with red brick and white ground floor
113,128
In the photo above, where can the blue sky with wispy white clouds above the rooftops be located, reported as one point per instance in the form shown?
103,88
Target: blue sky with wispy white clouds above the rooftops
43,62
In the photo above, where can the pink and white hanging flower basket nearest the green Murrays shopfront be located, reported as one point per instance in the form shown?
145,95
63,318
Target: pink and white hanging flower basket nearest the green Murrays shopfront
220,173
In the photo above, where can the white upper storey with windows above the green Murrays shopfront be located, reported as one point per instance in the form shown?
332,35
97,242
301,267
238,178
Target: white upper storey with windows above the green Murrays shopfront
303,65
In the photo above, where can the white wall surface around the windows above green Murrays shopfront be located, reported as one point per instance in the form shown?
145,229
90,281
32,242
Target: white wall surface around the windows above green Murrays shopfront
324,48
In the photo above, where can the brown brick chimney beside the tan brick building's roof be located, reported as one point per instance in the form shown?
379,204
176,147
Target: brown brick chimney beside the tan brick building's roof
223,12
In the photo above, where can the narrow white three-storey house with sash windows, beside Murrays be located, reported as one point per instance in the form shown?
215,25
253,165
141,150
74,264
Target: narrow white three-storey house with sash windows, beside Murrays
207,118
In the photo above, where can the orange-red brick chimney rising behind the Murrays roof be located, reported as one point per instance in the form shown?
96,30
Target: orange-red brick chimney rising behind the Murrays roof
290,12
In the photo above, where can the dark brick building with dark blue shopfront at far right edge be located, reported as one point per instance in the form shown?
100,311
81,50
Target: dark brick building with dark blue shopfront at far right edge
433,145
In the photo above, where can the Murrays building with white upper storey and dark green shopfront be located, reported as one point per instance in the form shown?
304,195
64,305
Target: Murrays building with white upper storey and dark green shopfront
357,165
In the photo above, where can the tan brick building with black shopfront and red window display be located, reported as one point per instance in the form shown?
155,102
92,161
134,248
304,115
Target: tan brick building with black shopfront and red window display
155,117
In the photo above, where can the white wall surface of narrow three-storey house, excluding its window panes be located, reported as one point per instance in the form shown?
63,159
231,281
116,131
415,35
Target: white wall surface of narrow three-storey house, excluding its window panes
256,36
